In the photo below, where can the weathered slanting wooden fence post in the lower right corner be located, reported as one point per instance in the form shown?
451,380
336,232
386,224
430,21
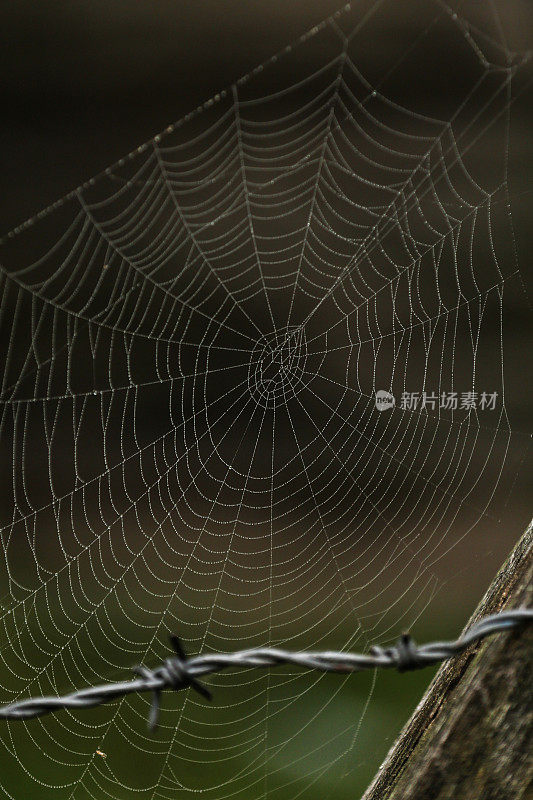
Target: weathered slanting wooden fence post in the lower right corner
471,736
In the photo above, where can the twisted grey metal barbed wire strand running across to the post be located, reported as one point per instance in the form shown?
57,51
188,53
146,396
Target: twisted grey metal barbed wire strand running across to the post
181,672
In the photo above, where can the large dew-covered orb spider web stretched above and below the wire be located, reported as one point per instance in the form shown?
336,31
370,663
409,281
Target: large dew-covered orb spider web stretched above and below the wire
192,344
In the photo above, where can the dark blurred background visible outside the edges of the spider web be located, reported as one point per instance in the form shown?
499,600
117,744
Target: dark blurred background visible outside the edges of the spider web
84,83
